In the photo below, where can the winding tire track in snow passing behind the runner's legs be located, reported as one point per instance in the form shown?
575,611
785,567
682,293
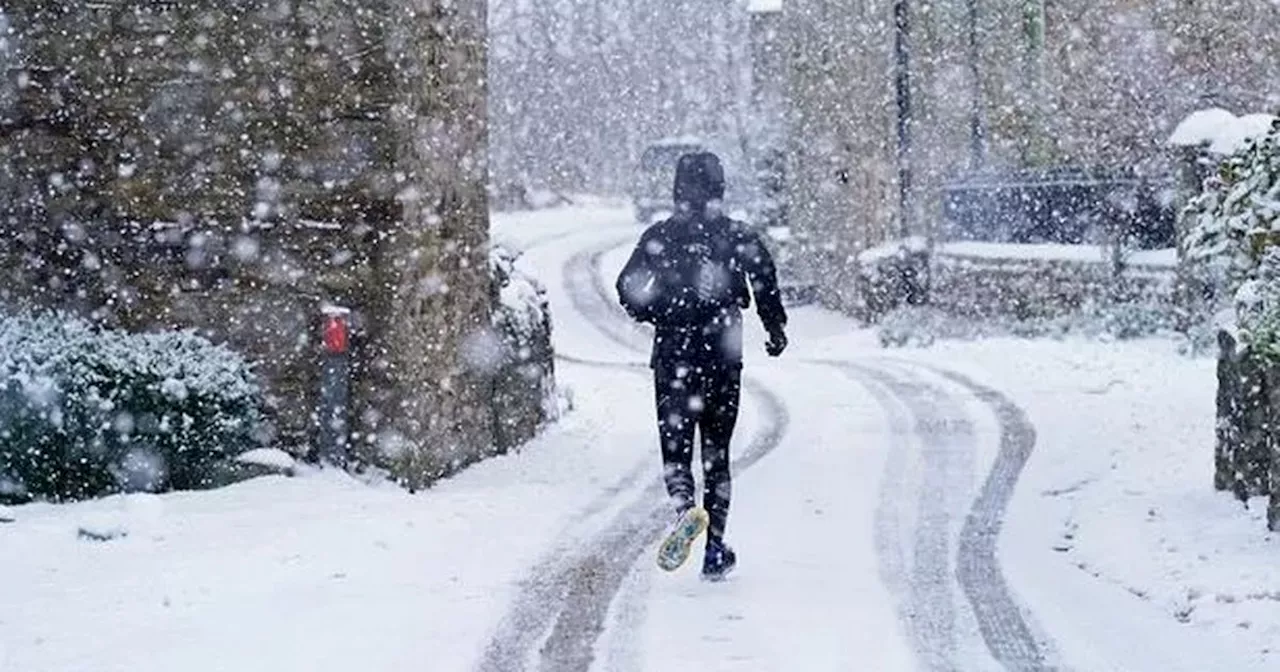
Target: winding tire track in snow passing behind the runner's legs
566,605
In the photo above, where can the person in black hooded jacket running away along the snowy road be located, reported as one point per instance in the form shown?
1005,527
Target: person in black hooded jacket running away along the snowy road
691,277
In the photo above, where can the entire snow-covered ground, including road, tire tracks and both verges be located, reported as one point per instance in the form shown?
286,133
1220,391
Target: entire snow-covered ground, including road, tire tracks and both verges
1002,505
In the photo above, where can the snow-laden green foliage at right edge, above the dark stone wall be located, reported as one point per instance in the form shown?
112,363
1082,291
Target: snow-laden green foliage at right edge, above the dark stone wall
1232,226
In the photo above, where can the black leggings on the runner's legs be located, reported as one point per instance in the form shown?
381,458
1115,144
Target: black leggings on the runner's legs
698,399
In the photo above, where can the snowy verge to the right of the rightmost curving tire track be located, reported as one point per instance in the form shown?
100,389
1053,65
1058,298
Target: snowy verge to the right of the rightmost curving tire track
1117,540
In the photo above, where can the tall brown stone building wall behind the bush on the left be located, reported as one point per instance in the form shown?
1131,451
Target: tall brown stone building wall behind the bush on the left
234,166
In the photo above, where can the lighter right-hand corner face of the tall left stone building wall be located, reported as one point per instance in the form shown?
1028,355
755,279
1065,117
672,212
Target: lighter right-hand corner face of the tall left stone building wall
431,372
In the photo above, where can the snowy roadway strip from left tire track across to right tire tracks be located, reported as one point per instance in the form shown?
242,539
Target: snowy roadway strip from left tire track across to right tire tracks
560,623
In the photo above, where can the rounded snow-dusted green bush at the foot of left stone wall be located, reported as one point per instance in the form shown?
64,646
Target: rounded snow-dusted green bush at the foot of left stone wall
88,412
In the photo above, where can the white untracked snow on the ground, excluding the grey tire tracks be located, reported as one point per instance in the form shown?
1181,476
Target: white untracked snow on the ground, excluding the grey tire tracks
1116,541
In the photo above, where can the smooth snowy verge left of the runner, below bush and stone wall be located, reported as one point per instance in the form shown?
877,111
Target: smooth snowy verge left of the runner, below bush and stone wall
318,573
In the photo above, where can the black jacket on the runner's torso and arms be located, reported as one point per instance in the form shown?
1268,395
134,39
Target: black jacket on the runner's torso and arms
698,312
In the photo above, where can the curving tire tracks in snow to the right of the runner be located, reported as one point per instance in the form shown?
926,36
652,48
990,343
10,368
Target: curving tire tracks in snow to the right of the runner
1000,621
